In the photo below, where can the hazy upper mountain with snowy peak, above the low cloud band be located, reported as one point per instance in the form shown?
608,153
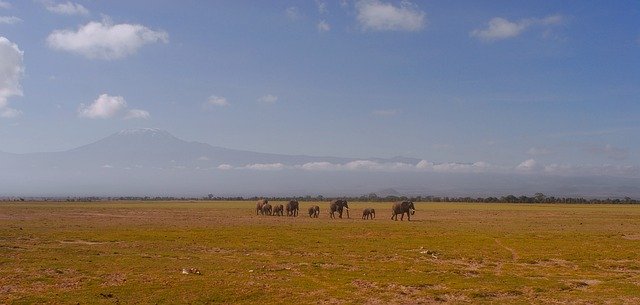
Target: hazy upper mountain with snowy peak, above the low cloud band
151,148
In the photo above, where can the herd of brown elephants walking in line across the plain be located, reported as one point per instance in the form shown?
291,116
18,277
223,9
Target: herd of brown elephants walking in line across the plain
336,209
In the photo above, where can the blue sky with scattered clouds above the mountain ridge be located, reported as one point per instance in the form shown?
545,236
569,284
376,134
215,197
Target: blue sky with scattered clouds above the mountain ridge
527,85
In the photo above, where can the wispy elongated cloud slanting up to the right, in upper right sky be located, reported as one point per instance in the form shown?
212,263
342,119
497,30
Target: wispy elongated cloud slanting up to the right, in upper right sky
499,28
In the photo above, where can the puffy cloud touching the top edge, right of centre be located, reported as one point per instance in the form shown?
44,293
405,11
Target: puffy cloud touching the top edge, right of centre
379,16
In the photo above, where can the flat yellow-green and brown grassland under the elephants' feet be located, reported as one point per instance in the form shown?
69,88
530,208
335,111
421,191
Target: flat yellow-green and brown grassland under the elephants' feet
134,252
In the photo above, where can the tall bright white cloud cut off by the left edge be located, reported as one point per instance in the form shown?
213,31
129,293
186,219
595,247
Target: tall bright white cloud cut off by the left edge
11,72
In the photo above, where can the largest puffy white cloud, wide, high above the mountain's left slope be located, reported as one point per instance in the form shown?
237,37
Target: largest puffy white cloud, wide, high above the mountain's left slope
104,40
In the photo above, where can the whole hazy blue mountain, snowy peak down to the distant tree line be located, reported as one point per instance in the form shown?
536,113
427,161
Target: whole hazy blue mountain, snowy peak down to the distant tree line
141,162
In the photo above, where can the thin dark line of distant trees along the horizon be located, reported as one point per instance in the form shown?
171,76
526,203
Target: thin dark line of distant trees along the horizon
537,198
